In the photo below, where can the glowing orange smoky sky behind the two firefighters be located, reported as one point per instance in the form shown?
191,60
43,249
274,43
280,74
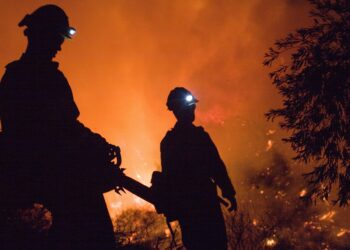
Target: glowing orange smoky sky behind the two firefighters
128,54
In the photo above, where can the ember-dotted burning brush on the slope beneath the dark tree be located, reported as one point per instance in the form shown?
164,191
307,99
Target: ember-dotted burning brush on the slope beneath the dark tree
275,214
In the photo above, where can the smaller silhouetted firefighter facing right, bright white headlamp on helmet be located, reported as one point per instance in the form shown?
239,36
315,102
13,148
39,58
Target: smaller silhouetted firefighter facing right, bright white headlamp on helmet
191,170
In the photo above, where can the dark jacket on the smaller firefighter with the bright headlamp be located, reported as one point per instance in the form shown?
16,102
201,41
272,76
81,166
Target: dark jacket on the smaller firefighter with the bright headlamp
193,167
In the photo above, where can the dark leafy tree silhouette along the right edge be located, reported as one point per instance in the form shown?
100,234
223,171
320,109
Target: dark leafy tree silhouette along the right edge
314,84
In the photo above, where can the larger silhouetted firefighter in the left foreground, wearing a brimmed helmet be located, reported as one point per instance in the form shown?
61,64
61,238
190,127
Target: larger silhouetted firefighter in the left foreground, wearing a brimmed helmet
48,156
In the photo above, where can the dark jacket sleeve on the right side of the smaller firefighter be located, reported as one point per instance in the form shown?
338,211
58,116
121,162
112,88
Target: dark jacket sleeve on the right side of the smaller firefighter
218,171
